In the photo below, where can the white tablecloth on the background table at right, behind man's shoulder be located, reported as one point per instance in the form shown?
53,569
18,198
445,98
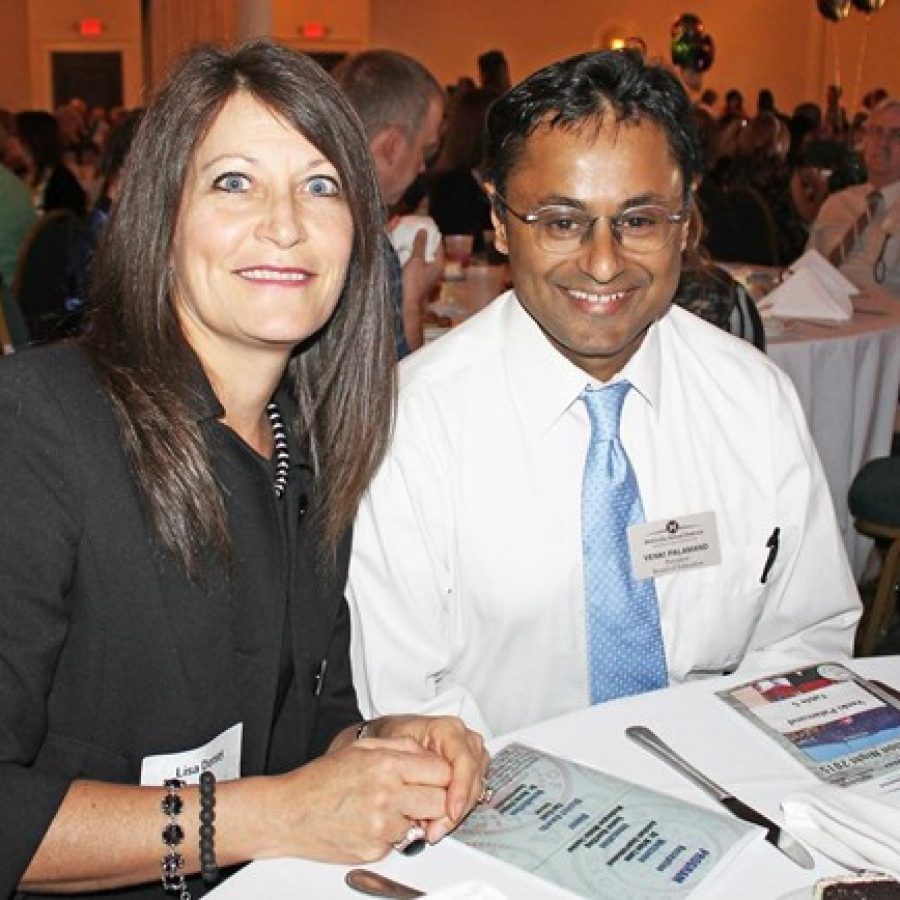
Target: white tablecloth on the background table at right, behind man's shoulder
847,378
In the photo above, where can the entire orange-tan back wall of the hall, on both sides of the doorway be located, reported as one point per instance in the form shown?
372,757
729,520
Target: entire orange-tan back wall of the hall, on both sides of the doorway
782,44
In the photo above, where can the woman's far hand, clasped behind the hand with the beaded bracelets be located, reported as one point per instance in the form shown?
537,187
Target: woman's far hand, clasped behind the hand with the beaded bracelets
461,747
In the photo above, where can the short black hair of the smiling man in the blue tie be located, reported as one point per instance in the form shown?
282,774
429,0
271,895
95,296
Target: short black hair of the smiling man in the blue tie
587,88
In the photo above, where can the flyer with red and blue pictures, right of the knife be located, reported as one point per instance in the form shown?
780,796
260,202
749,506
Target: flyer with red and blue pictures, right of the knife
844,729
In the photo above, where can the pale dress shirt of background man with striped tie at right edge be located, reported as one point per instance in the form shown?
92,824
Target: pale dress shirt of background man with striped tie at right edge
839,212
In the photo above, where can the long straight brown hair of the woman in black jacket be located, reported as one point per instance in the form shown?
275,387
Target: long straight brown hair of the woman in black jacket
342,377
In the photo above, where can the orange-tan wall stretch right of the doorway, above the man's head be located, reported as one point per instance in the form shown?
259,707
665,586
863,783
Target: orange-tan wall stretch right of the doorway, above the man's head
782,44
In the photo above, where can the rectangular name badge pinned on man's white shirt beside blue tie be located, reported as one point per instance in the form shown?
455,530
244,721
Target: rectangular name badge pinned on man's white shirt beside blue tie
672,545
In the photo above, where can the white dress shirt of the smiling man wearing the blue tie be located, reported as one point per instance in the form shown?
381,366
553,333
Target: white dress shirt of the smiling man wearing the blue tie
466,588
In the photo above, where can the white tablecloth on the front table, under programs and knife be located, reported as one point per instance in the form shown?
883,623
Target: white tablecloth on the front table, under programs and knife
695,722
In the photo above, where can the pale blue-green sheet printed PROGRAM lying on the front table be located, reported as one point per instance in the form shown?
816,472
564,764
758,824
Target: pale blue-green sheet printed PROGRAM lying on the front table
597,835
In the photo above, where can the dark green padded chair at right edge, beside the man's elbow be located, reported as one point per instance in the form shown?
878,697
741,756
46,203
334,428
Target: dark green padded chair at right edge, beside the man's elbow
874,500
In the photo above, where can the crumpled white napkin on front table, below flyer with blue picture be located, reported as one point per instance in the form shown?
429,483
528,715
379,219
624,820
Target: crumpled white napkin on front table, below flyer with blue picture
853,829
